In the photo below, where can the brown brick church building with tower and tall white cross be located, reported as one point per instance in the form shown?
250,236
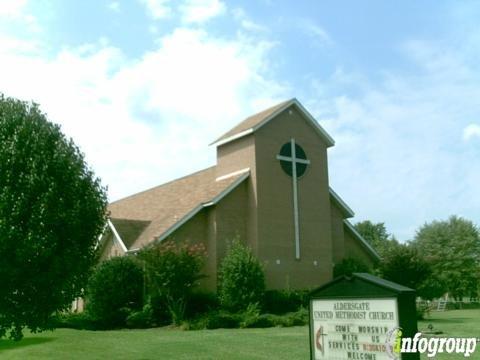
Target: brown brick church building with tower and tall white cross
269,189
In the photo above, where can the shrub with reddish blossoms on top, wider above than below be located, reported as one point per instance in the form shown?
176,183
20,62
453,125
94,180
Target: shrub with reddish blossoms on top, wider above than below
173,271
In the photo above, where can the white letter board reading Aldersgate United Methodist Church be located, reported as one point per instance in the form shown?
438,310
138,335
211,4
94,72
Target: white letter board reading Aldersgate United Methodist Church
352,329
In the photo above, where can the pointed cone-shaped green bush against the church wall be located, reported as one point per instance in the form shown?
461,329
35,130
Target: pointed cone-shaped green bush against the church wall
241,279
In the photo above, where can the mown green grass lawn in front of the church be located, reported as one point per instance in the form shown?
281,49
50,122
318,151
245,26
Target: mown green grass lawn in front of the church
164,343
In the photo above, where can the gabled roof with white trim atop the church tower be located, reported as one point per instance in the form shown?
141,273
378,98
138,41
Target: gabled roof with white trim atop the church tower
254,122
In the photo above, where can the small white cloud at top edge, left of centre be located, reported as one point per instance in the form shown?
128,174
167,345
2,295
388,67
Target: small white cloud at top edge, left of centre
200,11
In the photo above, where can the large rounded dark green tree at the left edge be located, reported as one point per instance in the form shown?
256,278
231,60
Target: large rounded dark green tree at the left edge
52,210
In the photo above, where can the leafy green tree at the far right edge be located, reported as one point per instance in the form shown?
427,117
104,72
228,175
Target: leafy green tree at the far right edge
452,248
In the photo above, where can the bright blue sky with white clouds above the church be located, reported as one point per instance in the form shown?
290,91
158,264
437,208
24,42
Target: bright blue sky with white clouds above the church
144,86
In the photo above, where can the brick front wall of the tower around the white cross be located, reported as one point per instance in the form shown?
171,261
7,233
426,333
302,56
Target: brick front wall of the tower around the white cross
275,207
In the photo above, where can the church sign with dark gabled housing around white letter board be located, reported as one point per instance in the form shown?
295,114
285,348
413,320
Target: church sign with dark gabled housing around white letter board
361,317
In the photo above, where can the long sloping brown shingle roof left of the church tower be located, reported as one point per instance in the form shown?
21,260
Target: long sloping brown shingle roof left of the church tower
164,206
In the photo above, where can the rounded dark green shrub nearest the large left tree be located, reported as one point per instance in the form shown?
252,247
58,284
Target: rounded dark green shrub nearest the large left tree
114,290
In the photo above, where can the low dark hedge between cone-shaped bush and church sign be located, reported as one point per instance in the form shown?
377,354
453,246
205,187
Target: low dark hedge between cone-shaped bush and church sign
283,301
